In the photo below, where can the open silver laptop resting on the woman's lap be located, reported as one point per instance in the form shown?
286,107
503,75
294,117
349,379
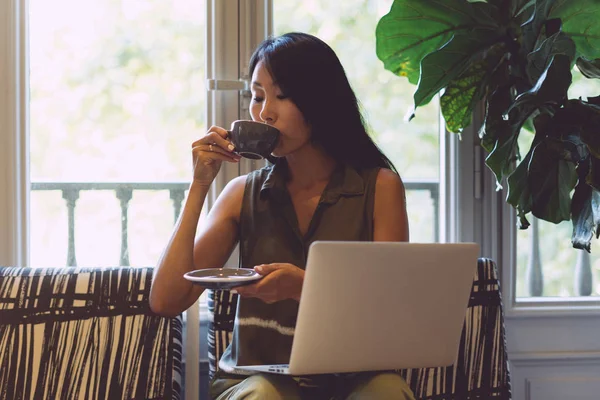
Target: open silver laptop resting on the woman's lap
370,306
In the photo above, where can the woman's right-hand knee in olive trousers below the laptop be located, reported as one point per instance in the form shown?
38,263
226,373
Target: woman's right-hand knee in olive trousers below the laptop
385,385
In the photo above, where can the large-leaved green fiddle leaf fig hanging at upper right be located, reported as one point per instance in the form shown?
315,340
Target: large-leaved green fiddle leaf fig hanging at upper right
515,57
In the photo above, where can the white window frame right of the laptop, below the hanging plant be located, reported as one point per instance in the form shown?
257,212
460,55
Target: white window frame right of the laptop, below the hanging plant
486,218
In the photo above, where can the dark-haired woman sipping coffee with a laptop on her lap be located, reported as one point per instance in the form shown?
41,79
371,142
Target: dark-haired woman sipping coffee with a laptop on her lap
328,181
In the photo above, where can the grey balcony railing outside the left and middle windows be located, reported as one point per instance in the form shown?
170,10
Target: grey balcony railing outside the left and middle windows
124,192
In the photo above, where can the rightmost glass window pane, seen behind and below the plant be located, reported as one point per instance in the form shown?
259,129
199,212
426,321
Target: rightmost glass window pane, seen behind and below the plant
556,269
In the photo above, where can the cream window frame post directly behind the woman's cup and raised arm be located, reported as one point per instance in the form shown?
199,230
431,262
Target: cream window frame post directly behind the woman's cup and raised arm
234,29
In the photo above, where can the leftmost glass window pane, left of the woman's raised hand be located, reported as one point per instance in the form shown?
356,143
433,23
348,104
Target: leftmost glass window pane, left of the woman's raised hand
117,96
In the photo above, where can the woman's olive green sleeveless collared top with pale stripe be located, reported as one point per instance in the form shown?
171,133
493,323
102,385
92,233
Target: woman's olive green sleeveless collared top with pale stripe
269,233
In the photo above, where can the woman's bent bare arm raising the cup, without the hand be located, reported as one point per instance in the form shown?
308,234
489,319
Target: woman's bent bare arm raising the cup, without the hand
170,293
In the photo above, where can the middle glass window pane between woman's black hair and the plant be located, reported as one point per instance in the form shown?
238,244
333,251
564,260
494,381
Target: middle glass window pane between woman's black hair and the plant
349,28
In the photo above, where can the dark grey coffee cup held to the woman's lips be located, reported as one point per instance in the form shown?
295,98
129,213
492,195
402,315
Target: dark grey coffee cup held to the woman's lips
254,140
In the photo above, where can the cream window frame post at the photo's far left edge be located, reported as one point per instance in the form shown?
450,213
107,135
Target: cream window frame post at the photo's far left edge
14,132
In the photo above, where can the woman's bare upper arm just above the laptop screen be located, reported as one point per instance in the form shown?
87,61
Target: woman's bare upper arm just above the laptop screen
390,218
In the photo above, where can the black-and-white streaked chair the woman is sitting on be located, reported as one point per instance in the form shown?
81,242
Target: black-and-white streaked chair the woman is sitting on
481,371
